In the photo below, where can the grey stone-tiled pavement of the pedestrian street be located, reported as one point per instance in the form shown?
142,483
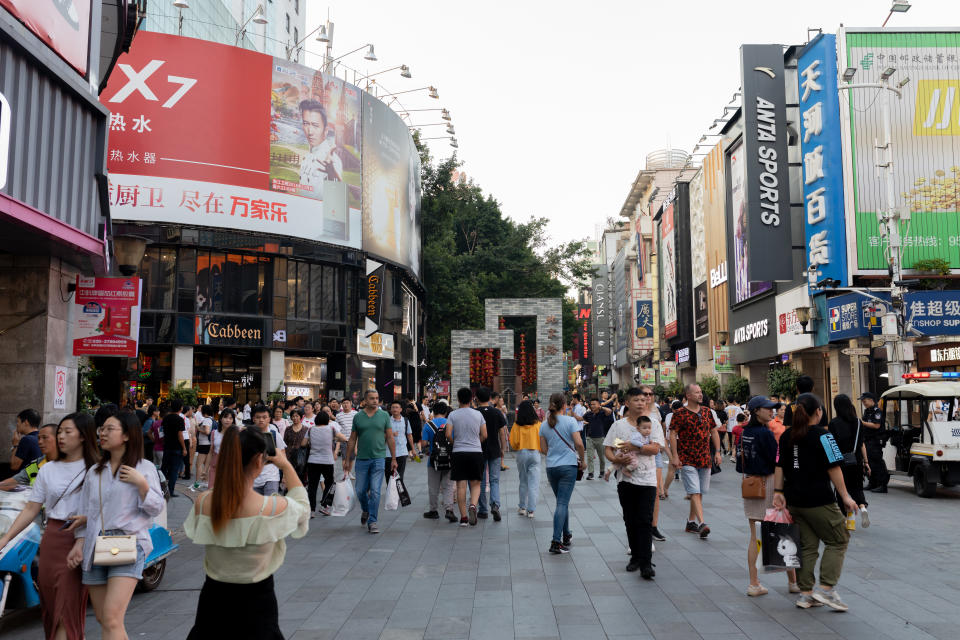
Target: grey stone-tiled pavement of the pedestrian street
434,580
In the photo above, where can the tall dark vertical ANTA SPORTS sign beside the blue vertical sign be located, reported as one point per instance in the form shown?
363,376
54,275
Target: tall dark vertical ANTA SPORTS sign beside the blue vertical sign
767,187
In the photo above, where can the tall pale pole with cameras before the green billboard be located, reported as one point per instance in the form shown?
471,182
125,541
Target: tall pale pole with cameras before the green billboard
892,323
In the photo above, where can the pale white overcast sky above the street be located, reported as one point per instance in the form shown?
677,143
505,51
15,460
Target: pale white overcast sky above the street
557,103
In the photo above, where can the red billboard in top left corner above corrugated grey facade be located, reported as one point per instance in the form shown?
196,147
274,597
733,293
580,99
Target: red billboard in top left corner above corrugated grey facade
64,25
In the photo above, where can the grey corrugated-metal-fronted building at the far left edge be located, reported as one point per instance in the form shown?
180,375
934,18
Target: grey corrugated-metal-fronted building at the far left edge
54,214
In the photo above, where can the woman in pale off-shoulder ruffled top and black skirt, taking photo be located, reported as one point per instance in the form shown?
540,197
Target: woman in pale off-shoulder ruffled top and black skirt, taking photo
244,536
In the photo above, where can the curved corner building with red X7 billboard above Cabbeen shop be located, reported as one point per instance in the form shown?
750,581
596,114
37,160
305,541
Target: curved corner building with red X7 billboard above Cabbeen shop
281,206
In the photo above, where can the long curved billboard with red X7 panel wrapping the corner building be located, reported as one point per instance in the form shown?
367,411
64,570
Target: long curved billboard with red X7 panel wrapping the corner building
209,135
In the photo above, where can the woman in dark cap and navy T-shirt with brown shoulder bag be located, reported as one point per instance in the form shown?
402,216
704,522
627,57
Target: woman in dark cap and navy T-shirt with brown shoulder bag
756,455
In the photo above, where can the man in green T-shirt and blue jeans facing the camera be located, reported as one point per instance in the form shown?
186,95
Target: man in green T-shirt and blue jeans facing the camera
371,436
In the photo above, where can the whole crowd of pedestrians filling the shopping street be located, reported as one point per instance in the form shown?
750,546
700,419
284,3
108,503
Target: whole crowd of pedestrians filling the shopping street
261,472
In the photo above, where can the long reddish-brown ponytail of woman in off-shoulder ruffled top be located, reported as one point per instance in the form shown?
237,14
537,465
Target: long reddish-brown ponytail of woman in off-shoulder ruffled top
236,452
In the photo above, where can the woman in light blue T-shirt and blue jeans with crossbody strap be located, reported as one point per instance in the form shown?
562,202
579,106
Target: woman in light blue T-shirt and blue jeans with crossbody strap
560,441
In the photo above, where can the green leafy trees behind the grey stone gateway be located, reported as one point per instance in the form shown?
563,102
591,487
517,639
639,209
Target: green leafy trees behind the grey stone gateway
472,252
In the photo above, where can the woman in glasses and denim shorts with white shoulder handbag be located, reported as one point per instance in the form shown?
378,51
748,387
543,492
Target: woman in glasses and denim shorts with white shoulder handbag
121,496
